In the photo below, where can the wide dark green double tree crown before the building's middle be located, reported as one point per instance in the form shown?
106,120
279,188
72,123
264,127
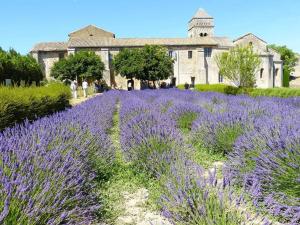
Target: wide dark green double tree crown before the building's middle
150,63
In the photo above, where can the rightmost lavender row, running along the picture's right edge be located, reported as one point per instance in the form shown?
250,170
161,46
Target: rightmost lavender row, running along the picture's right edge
261,137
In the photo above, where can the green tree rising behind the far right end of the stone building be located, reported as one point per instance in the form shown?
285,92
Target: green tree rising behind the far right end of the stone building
289,59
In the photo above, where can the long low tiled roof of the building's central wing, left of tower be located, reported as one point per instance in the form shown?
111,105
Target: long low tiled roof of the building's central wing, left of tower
137,42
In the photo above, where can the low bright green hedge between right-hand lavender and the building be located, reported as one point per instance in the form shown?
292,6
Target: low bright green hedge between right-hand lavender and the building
227,89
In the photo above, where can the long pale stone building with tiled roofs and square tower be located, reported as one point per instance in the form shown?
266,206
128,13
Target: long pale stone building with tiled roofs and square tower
193,56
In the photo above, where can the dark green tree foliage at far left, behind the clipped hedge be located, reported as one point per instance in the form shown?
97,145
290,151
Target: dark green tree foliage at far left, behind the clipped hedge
19,67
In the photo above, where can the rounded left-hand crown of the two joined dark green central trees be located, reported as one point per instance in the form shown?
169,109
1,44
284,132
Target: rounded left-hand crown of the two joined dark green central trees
128,63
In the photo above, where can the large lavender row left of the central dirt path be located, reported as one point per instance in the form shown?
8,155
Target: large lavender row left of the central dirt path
46,168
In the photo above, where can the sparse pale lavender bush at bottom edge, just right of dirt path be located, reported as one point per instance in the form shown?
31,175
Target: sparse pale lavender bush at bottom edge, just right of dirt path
190,198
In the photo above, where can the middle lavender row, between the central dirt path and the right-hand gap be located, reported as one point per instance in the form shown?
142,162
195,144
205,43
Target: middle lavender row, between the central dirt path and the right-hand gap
151,140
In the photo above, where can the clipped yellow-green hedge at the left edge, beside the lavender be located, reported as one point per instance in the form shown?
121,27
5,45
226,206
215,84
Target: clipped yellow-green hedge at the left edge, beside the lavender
19,103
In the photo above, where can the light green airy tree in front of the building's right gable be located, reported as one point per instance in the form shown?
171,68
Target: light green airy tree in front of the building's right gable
239,65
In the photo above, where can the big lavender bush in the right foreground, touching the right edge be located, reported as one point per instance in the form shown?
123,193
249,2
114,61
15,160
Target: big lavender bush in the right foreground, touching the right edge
266,162
